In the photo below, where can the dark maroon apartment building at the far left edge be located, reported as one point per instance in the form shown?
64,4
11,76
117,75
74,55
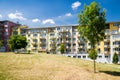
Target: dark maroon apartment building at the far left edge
6,28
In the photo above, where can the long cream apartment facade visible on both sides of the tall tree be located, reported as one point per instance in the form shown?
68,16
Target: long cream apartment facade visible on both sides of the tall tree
50,38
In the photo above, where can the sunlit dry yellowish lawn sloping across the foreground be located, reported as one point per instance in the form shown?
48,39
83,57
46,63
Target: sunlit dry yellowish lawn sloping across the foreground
53,67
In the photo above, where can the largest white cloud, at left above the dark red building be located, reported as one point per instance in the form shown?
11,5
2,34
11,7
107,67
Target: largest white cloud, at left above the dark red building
16,15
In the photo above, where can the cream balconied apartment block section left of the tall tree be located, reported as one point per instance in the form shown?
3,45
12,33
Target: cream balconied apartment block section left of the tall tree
50,38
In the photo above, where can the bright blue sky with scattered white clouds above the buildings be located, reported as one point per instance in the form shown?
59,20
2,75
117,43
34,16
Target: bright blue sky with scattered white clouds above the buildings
45,13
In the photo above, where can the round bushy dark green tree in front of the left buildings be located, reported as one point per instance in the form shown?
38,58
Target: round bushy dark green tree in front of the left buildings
17,42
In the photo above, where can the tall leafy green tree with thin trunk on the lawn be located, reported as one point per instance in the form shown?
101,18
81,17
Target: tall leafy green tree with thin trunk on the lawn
92,26
